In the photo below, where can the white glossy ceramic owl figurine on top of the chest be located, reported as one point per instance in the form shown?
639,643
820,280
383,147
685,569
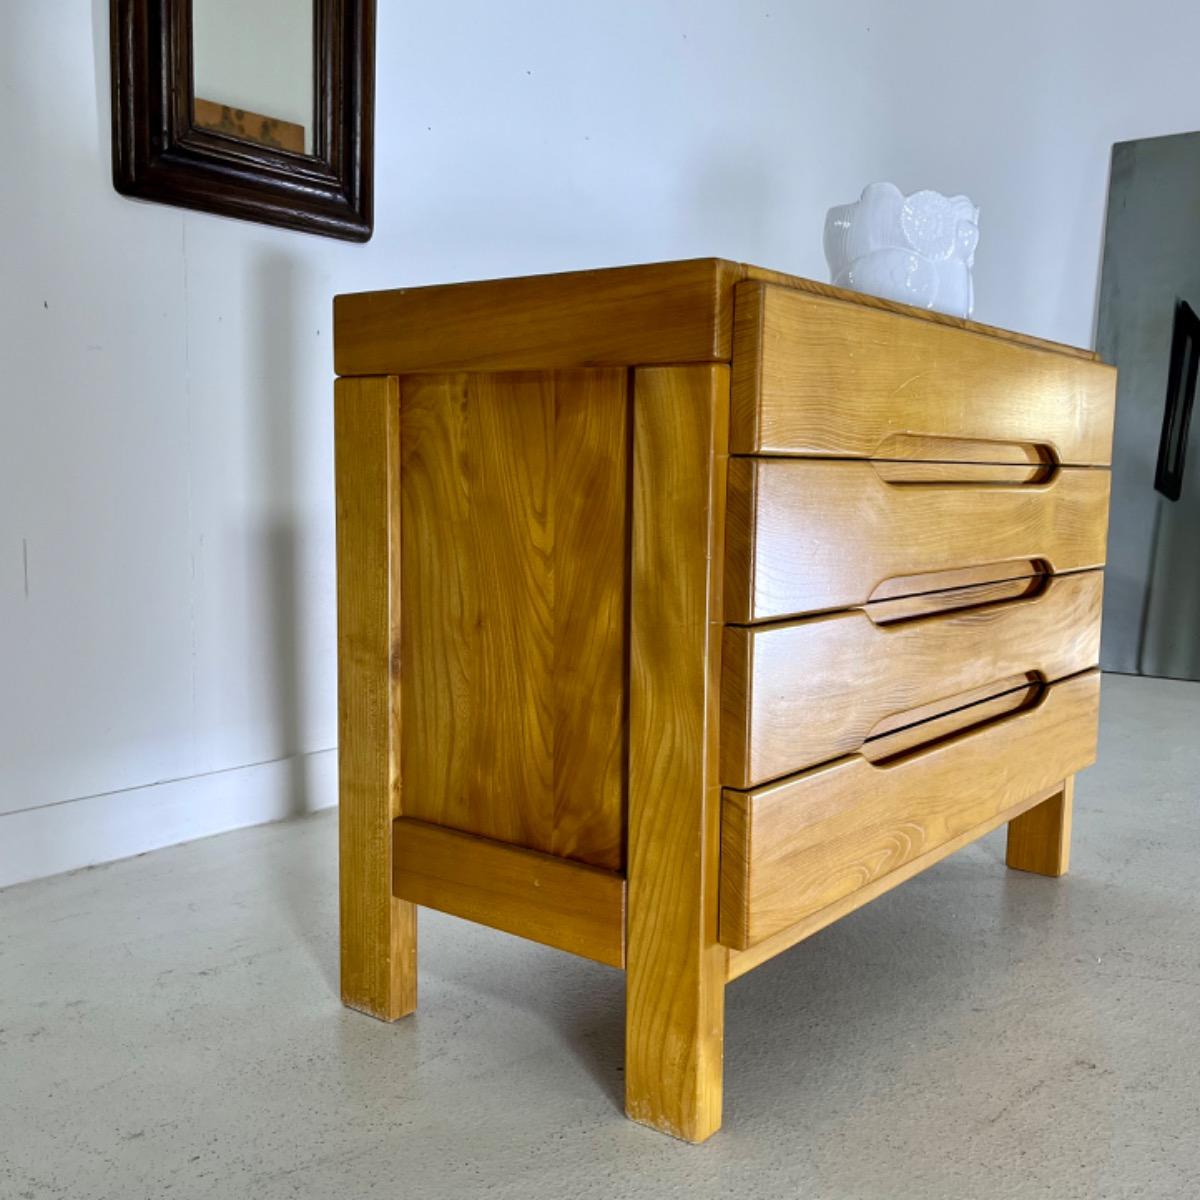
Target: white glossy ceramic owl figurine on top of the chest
915,249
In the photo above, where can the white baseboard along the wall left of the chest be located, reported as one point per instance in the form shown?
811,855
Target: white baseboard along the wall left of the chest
65,837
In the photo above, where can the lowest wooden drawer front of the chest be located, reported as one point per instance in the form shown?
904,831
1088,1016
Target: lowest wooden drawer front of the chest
795,848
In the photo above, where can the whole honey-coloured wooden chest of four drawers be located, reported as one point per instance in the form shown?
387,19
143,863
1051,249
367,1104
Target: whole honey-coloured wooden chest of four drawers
685,609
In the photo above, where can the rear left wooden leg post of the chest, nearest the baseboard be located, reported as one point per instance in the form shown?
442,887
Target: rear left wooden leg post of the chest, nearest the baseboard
379,932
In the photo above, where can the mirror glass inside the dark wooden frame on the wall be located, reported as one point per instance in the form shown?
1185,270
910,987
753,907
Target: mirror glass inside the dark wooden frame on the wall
255,71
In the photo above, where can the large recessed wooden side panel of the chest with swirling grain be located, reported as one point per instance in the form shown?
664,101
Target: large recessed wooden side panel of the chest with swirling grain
514,579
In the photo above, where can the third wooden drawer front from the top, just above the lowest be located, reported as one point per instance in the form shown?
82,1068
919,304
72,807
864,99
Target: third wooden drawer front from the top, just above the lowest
800,694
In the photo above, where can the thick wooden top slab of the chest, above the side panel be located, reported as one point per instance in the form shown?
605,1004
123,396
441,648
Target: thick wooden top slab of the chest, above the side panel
626,316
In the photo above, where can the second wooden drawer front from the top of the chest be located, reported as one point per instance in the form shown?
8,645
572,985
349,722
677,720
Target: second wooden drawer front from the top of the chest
808,535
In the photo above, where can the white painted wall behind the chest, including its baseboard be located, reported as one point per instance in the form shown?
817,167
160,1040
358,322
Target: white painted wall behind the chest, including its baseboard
166,532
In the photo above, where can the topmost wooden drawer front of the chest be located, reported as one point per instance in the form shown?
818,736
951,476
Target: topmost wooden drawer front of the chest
814,376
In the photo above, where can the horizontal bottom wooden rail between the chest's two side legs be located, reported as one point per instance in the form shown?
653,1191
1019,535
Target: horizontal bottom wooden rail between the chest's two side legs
551,901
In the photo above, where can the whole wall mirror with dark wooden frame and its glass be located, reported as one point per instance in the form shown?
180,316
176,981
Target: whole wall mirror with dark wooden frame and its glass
260,110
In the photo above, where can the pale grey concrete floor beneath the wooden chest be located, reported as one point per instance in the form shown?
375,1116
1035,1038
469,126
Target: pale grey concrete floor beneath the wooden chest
170,1027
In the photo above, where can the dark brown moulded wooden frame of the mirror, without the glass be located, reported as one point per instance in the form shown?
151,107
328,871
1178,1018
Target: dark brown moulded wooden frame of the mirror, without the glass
161,154
